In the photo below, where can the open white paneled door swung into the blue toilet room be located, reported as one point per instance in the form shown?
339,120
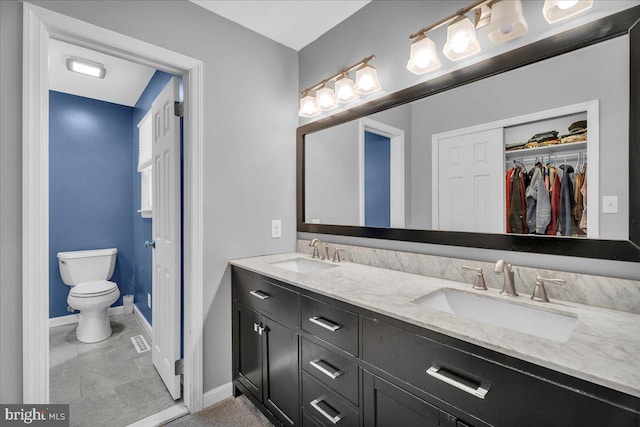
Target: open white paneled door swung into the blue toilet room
166,234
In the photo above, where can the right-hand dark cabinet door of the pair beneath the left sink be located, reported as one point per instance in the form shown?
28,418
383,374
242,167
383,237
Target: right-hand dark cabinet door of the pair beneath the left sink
281,394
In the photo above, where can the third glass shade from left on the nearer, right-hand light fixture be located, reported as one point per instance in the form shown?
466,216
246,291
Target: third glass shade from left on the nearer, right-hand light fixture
507,21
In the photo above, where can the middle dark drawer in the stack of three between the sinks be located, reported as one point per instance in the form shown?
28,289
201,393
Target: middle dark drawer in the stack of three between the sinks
333,370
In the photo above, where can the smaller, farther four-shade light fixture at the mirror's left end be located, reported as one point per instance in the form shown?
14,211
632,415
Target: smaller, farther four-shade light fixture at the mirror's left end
346,90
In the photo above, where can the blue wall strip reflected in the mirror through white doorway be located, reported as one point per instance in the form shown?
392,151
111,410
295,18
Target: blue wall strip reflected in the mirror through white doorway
377,180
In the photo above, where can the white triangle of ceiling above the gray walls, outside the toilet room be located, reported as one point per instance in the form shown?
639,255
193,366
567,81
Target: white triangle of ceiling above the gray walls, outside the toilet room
293,23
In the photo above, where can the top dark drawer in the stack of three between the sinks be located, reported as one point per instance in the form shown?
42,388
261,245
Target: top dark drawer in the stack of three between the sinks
332,324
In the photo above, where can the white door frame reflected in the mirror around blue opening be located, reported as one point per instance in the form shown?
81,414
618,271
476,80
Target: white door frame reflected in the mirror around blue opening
397,178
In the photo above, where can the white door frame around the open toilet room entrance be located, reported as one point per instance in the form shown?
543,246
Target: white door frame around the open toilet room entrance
40,25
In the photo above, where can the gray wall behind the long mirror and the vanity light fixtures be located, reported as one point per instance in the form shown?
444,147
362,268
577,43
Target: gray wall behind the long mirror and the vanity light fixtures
382,28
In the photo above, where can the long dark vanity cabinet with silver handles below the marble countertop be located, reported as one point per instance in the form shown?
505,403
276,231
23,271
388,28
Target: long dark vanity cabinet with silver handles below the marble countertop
306,359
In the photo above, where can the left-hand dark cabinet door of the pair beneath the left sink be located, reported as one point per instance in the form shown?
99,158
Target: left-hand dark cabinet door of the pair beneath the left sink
249,351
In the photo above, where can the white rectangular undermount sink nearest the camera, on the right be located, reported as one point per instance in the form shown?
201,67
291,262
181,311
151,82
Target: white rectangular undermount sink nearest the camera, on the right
530,320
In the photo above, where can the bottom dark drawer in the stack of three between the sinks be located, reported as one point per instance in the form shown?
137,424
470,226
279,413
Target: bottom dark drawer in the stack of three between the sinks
326,406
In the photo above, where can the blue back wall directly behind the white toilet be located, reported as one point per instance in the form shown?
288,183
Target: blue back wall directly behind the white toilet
90,191
